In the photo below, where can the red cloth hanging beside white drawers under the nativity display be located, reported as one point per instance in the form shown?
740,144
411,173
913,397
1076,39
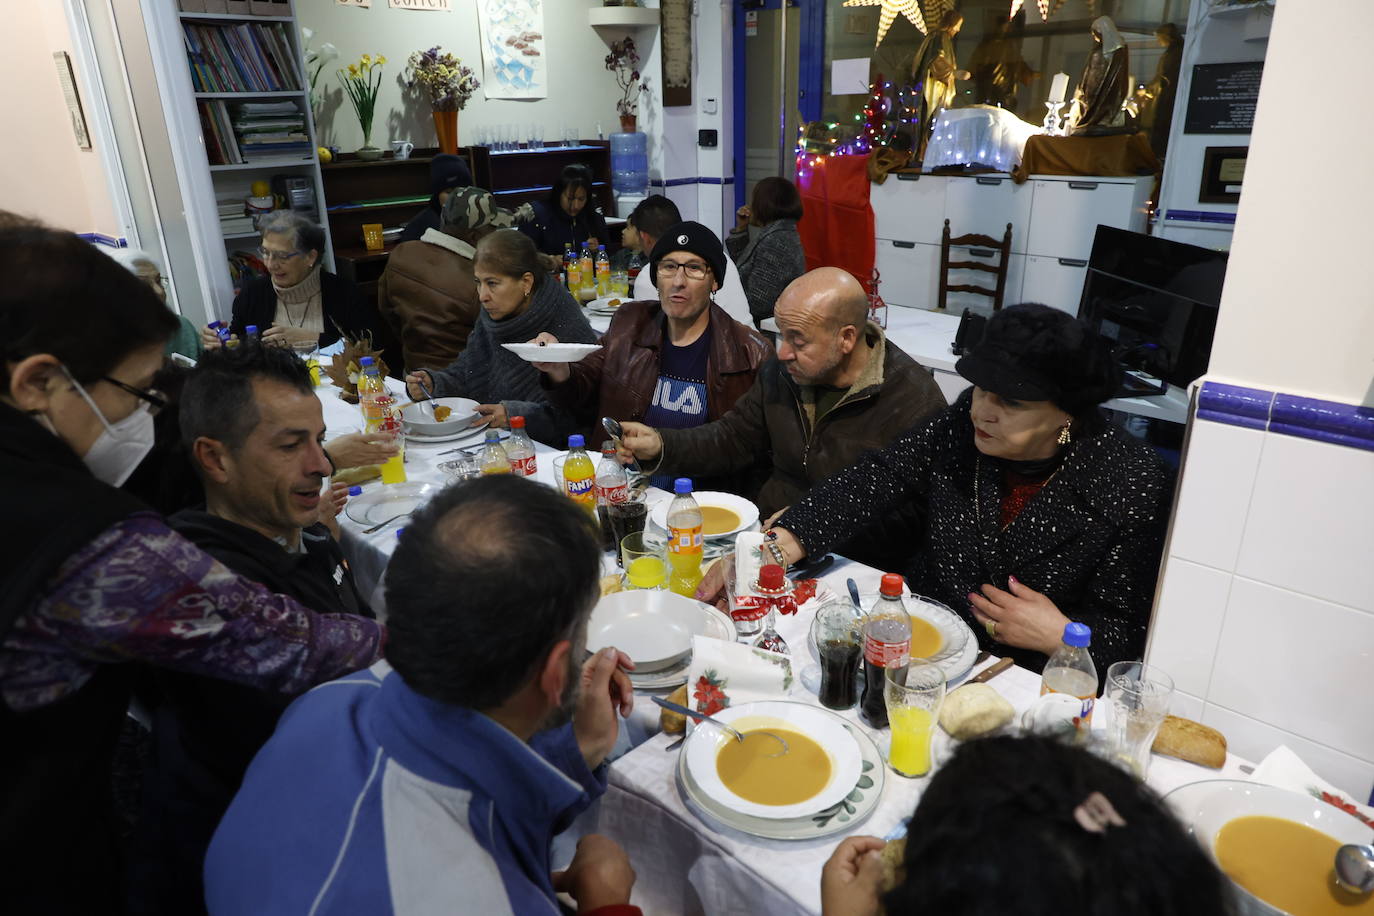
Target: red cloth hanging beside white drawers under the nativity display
837,227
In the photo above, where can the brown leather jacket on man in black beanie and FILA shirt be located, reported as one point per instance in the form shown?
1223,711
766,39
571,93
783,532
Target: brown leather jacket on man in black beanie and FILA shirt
619,380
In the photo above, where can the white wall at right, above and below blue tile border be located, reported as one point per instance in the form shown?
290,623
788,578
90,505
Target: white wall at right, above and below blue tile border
1265,615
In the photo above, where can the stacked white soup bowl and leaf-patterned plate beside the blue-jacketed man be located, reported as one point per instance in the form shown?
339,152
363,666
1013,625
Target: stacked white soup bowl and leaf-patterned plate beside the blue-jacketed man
848,797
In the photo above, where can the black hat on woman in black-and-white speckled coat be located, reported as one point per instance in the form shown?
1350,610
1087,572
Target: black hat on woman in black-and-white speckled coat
1037,354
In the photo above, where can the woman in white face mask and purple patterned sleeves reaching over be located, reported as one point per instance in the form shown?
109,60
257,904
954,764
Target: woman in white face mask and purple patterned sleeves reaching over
94,579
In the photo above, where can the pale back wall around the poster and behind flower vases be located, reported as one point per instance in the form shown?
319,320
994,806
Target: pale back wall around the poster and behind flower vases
582,93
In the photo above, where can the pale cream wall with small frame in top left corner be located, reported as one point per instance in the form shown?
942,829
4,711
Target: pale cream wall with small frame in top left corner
46,175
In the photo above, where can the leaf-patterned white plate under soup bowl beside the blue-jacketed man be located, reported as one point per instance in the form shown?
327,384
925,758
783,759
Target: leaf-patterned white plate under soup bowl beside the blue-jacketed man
840,818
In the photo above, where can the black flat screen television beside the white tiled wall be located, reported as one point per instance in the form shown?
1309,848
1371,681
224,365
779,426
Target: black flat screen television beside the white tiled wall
1156,301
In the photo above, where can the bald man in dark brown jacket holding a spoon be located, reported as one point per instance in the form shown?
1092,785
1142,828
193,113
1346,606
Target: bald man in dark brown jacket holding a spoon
836,389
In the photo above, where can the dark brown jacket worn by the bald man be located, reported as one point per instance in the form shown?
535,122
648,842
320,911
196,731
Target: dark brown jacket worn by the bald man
777,420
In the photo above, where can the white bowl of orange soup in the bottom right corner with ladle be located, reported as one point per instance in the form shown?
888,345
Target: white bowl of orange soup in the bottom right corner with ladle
1277,847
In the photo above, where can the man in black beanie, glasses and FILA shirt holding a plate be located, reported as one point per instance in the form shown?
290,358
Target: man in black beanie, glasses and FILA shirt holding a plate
675,363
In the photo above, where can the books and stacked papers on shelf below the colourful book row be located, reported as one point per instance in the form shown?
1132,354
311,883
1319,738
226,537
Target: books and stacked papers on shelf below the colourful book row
254,133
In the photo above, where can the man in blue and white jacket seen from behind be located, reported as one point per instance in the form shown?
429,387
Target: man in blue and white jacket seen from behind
435,782
